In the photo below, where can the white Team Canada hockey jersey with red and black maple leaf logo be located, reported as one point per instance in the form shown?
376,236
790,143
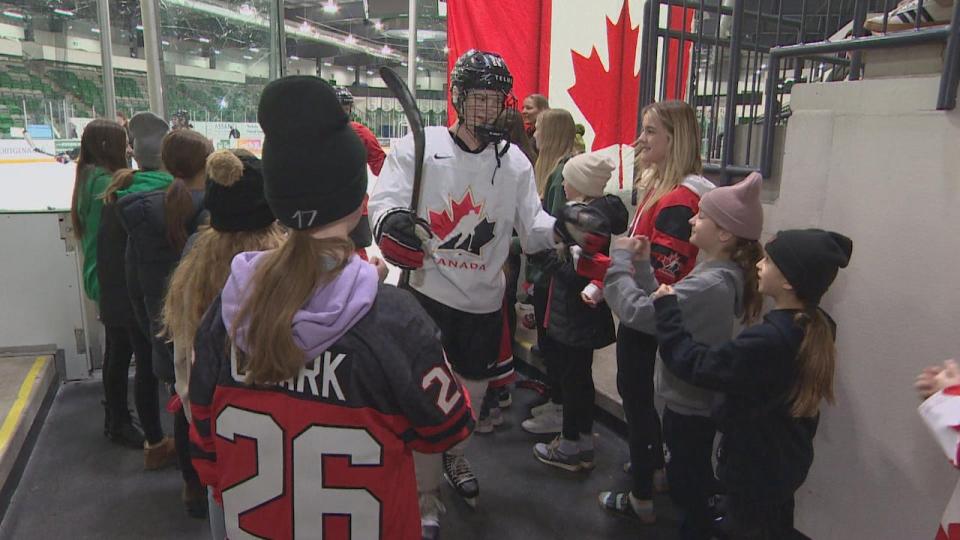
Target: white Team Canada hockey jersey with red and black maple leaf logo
472,207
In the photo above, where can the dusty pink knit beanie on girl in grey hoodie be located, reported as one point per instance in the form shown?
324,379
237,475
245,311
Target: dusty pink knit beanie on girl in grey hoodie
736,208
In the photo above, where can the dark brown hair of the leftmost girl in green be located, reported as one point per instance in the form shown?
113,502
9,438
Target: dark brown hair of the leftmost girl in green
103,144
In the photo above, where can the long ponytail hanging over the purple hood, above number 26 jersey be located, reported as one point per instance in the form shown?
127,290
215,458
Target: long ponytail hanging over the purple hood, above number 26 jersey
282,283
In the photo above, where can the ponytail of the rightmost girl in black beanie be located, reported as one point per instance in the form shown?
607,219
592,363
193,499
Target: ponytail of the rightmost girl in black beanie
815,364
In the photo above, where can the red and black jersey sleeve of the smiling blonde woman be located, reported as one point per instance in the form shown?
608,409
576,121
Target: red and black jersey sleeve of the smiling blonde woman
672,254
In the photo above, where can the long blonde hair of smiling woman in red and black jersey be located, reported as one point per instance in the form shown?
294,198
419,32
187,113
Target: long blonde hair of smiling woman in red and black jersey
683,157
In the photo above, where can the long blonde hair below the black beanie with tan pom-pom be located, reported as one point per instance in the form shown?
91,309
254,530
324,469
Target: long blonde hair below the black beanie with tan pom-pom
203,272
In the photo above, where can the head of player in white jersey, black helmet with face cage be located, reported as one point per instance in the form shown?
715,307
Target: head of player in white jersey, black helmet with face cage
477,71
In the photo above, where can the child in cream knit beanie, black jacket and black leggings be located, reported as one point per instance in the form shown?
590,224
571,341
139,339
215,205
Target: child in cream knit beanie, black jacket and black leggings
578,325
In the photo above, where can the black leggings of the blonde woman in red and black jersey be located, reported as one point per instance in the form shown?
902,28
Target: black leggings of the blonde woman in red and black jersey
636,357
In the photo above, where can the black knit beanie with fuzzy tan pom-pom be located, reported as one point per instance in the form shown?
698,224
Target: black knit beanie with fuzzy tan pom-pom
234,194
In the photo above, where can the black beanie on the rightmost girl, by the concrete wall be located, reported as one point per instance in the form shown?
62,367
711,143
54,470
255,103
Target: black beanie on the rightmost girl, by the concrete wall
810,259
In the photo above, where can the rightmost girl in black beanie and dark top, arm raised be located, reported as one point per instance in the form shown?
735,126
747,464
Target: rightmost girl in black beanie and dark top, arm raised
773,377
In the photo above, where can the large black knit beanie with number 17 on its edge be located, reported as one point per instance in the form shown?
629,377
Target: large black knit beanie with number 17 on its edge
314,165
